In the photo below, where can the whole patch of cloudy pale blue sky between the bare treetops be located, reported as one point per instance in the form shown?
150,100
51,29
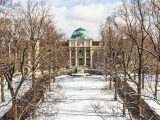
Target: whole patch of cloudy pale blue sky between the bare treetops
88,14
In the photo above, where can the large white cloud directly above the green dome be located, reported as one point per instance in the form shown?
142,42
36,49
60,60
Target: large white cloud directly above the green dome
87,16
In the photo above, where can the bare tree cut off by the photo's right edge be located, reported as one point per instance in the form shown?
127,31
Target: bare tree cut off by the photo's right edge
154,36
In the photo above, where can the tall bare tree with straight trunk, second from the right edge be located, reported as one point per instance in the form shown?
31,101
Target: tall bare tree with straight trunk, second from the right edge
134,17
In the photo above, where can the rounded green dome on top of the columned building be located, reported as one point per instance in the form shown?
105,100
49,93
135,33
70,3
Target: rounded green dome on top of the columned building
80,33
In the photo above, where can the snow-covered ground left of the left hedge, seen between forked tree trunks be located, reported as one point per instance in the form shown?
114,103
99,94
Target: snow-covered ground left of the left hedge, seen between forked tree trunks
5,106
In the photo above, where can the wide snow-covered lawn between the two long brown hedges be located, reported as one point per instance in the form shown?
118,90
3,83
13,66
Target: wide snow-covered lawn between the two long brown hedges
79,98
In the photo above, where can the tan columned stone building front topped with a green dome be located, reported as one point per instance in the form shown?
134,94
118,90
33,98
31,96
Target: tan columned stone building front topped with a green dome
82,48
